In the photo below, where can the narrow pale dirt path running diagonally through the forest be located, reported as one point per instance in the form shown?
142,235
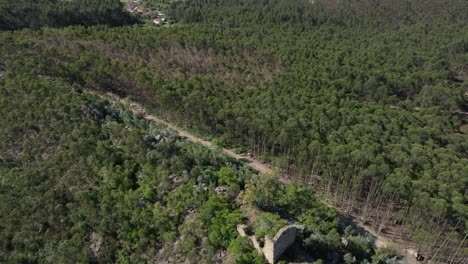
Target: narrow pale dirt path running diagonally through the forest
263,168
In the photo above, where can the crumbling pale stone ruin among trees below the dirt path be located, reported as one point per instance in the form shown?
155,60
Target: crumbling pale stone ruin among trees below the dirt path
274,247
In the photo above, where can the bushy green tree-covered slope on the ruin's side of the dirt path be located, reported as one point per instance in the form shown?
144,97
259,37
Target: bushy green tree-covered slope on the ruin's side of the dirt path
83,180
